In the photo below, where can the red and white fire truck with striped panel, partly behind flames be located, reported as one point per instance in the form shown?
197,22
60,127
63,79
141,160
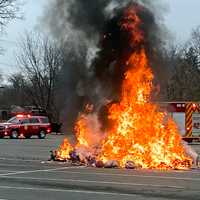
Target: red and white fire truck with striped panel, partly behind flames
187,117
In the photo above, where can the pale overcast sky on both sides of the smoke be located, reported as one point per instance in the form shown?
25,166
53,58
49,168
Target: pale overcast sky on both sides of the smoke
181,18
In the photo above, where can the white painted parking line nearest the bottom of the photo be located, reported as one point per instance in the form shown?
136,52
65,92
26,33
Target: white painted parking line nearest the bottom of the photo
66,190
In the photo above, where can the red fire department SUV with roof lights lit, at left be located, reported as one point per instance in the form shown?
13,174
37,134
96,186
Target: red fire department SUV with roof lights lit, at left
25,126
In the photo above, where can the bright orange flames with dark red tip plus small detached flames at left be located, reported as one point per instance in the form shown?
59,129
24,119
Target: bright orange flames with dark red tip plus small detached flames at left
140,132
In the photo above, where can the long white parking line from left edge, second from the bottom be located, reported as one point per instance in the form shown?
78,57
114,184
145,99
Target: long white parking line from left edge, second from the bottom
98,182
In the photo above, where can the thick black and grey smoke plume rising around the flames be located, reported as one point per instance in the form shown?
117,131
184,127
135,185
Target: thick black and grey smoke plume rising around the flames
95,48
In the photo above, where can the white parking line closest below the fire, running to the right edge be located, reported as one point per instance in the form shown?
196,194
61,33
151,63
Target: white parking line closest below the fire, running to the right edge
128,175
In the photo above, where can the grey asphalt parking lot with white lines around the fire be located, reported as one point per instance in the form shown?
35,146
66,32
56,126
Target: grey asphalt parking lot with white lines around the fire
26,174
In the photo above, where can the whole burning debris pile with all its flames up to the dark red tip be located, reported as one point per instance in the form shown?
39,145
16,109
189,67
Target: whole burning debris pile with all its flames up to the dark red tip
139,134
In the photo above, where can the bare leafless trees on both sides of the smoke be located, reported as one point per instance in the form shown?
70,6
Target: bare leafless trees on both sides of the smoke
41,61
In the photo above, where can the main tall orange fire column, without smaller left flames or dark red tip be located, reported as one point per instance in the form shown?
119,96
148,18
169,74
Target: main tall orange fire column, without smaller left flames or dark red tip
141,133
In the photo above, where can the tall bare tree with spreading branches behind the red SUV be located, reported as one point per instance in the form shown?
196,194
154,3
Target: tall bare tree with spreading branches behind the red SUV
40,62
